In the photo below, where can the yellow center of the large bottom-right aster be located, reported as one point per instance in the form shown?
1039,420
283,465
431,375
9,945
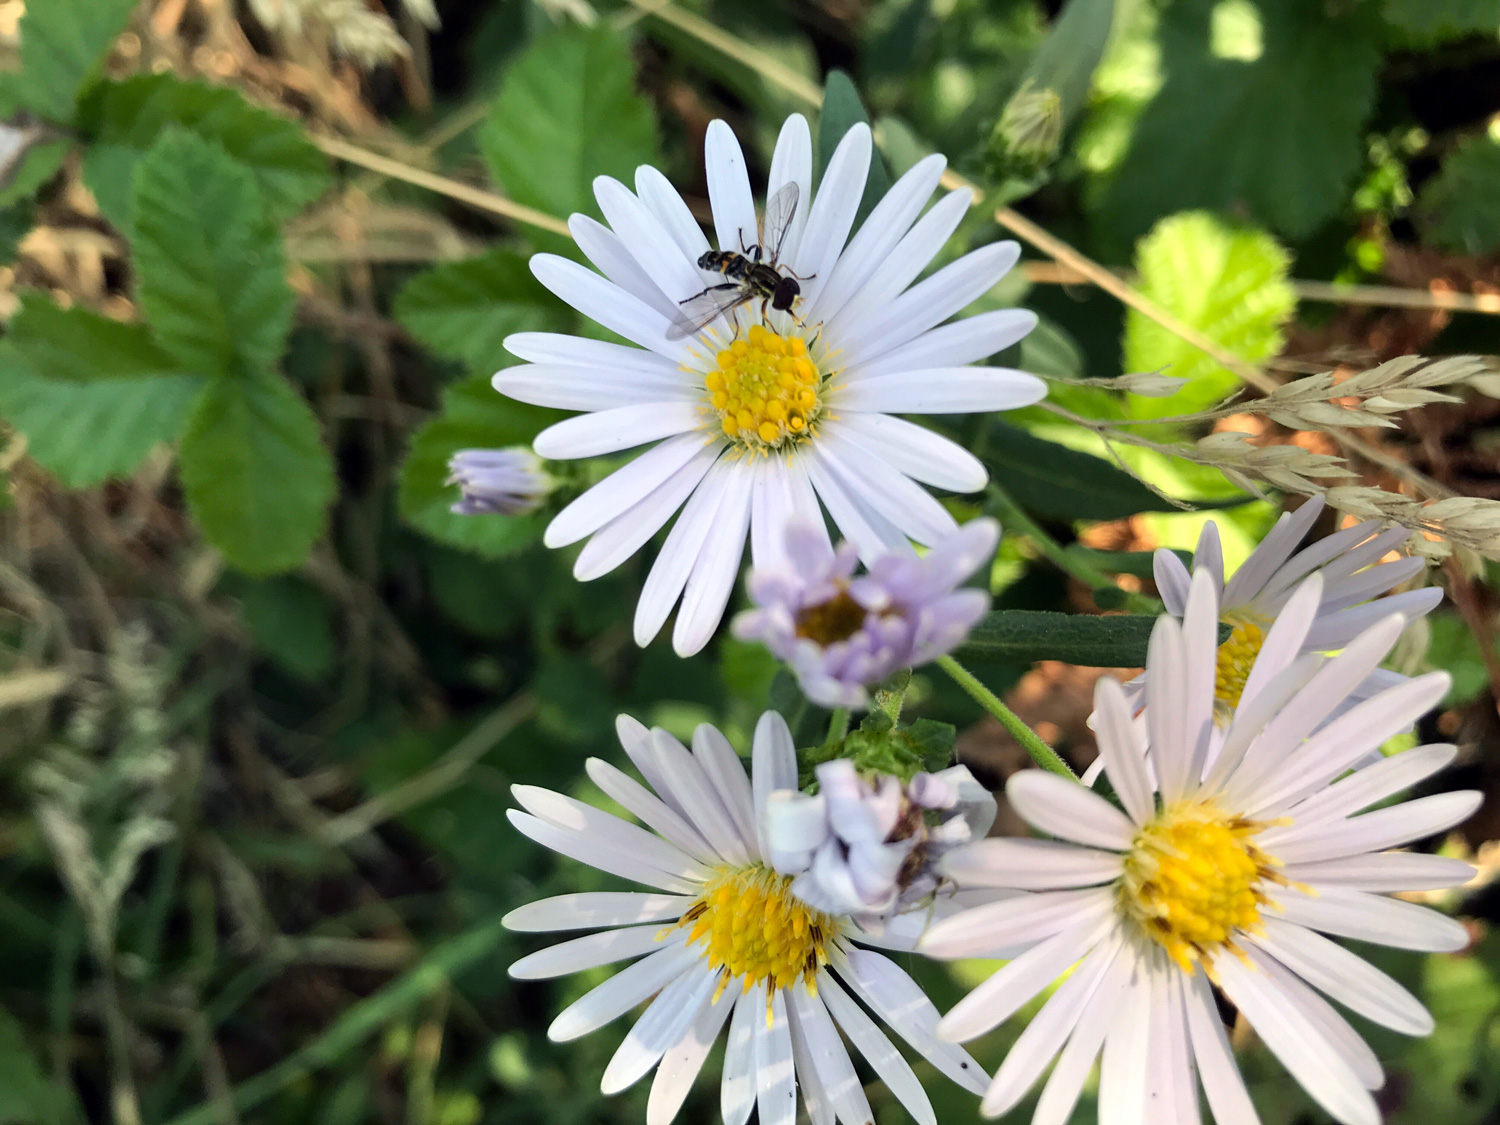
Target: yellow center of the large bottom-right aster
1193,878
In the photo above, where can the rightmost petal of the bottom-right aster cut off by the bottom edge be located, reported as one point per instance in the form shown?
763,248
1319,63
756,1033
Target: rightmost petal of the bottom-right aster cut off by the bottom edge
1294,1040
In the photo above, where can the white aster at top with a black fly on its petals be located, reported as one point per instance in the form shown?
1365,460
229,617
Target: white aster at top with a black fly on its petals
758,421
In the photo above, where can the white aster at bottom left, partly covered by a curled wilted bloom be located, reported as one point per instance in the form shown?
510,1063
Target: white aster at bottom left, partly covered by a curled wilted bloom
736,944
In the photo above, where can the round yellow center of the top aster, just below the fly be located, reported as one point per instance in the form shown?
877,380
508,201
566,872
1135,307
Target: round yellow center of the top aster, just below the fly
766,389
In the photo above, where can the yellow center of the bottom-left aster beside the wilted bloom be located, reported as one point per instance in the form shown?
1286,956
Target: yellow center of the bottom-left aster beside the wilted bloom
752,926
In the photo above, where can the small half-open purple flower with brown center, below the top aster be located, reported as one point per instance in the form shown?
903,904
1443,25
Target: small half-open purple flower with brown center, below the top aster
842,634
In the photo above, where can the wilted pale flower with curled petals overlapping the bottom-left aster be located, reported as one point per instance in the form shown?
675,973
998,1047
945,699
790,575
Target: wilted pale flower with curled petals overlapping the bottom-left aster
865,847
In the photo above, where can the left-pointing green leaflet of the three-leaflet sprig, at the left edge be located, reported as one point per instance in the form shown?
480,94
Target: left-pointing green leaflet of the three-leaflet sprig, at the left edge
94,397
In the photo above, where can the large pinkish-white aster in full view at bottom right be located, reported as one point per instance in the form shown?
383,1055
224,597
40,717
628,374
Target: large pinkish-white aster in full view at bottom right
1225,872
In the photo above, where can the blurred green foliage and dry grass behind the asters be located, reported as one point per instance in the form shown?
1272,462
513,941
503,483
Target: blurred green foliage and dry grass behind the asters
265,694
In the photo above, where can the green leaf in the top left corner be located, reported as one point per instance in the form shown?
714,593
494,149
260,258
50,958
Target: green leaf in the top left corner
62,43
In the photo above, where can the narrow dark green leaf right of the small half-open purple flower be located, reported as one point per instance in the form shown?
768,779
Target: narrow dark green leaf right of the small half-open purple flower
1024,637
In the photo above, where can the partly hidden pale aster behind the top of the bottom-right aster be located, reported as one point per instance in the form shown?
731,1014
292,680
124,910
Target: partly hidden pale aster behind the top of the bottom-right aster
1355,586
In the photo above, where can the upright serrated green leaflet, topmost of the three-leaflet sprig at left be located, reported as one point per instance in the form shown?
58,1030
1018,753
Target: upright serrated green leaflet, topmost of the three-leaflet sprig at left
212,271
